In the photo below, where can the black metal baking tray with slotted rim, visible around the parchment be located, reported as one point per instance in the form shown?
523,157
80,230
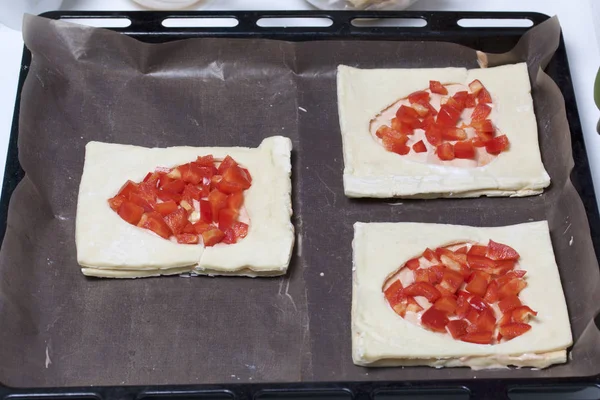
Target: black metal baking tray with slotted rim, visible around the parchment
441,26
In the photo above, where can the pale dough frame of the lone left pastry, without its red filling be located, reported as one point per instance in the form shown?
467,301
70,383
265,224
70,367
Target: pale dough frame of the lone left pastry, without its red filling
107,246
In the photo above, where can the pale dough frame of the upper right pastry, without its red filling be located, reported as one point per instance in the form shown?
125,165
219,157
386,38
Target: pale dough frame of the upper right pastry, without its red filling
372,171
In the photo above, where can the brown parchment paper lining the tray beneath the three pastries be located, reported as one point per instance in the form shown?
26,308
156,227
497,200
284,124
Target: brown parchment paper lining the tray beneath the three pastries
62,329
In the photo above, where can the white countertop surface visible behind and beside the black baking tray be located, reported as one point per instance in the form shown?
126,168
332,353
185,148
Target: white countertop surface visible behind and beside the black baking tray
576,17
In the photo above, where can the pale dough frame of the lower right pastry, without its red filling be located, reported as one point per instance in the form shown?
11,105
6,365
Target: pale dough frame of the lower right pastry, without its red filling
382,338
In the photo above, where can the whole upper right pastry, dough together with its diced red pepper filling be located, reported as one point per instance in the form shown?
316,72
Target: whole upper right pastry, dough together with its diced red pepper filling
439,132
